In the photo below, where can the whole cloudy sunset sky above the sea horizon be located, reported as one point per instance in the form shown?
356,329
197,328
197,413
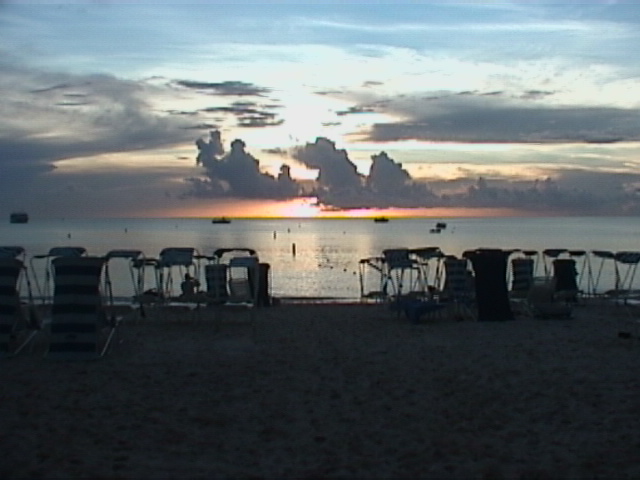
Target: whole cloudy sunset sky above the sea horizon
283,108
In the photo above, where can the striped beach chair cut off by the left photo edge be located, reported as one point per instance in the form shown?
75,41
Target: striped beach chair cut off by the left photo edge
19,322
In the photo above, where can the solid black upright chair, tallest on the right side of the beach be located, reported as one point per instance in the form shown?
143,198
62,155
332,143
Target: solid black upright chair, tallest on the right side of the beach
492,295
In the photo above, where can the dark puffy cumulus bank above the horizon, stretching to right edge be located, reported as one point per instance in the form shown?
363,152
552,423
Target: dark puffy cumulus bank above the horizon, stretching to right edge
388,184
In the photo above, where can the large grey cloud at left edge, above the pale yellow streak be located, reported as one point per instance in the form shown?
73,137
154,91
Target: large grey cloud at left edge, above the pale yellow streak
113,117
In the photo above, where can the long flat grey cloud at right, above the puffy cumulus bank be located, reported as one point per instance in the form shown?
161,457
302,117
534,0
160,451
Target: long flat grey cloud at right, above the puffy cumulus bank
471,117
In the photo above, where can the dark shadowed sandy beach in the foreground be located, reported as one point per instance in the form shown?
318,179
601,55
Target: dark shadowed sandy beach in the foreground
333,391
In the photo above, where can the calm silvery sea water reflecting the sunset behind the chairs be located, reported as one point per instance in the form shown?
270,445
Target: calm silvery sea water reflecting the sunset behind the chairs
321,257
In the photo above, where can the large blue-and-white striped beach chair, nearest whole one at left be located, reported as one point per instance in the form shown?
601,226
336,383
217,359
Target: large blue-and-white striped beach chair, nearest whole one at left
80,328
